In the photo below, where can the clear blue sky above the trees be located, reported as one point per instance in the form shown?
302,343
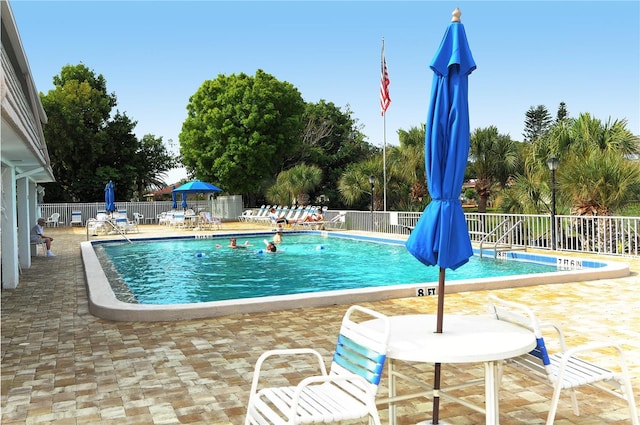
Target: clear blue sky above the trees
155,54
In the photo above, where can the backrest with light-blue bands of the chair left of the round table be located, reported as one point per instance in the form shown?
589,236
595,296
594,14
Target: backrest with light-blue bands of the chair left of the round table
361,350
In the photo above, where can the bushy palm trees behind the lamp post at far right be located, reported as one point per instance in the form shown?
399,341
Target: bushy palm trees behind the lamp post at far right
596,175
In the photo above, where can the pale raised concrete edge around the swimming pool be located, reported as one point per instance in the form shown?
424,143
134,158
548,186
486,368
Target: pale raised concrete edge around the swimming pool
104,304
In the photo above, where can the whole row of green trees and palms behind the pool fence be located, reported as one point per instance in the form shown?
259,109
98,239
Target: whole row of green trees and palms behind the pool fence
255,135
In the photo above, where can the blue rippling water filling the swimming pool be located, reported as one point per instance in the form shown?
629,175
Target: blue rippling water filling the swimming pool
179,271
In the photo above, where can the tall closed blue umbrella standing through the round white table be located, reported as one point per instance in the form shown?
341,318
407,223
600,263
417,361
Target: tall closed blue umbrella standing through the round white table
440,236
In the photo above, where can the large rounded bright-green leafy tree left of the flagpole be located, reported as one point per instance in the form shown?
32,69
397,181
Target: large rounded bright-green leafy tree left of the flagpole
239,129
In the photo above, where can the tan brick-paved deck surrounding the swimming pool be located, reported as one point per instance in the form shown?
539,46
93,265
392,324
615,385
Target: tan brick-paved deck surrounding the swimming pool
61,365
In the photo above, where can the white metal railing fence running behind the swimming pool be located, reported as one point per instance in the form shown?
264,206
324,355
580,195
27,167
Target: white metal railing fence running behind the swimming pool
596,235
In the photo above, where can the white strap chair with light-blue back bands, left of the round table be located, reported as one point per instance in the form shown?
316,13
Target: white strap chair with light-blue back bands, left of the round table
347,392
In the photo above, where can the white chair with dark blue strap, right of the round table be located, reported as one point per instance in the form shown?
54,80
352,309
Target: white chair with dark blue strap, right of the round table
564,370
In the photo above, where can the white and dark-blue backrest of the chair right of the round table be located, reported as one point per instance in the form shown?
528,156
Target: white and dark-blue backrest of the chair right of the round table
521,315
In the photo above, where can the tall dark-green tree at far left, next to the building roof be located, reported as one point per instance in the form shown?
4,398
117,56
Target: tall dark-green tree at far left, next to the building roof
87,145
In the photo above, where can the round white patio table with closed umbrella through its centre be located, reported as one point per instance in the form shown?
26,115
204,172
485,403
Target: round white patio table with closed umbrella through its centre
464,339
